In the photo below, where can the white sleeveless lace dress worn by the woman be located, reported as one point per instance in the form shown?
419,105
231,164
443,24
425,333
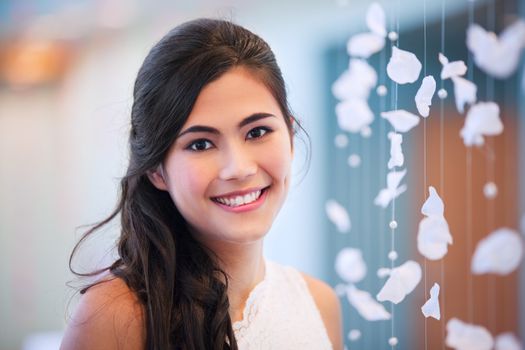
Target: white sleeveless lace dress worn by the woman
280,313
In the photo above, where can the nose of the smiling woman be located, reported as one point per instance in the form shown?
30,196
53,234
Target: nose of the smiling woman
238,164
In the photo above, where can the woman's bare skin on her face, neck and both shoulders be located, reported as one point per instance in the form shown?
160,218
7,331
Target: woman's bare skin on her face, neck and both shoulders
245,125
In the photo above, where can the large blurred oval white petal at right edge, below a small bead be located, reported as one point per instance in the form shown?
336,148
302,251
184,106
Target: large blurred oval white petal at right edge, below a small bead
500,253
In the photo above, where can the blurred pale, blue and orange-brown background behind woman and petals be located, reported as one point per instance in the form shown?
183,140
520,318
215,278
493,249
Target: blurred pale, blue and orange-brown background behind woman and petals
66,75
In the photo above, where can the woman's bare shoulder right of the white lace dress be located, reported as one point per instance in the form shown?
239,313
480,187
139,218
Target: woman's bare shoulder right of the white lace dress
330,308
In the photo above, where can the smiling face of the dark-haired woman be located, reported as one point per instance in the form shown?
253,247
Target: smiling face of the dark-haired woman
229,169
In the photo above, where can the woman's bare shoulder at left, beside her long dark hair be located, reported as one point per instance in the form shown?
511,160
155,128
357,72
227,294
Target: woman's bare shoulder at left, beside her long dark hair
108,316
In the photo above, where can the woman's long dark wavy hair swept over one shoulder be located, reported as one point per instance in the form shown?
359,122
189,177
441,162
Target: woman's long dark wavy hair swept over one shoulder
178,280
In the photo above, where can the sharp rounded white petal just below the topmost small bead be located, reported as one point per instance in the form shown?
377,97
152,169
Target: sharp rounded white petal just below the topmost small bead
403,67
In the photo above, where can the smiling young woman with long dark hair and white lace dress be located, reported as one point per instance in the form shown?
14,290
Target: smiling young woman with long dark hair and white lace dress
211,146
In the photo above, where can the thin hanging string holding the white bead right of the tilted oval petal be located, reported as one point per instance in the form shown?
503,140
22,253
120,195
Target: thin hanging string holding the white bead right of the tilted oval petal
442,174
